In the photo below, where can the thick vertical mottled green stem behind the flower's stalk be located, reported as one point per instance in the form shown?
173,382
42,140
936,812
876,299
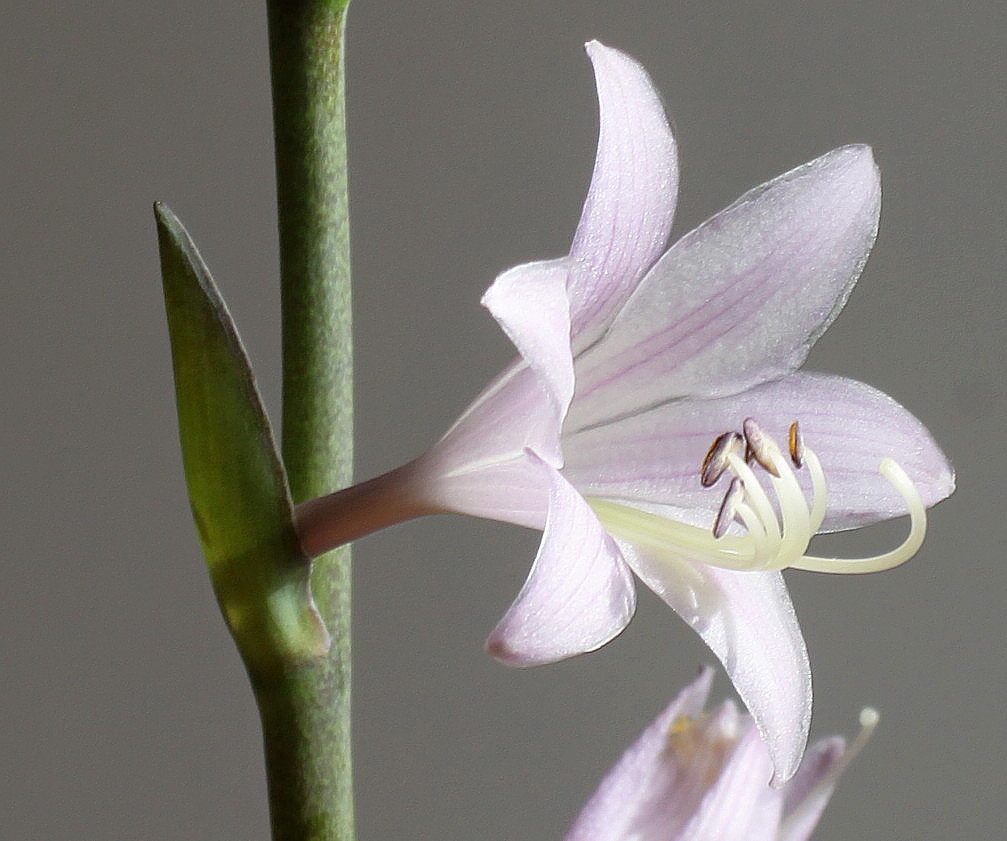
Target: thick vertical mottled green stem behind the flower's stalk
306,709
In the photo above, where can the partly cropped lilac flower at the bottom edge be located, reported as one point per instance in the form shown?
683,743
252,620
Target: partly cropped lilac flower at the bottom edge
695,776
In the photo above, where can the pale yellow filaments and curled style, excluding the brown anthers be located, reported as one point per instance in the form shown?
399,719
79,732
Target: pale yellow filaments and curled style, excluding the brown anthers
770,541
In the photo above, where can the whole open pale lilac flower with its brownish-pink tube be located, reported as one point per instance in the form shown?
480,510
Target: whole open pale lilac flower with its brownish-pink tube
649,425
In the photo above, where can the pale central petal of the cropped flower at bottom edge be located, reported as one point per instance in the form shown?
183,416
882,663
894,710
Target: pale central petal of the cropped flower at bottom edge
740,806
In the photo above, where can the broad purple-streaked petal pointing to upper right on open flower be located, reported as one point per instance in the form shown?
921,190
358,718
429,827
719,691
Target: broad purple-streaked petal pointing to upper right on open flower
741,300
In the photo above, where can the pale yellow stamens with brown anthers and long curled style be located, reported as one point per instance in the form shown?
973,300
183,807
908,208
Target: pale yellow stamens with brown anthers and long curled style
762,525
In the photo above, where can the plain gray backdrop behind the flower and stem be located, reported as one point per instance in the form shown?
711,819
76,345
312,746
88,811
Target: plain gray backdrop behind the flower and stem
125,713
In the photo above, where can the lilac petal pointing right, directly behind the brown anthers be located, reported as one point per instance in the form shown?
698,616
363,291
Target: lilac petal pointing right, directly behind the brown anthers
655,458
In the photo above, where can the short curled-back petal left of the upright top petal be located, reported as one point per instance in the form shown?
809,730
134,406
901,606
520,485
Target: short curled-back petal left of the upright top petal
531,306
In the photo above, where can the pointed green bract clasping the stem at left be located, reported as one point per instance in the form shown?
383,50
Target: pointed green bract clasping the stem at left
237,485
